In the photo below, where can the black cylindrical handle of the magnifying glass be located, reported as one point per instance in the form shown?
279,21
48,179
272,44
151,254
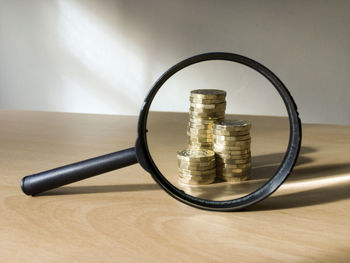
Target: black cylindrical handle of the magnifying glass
40,182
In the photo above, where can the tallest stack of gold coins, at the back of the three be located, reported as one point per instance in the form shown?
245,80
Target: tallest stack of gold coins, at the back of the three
206,107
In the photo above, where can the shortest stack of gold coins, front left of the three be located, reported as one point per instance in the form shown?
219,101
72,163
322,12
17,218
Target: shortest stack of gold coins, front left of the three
196,166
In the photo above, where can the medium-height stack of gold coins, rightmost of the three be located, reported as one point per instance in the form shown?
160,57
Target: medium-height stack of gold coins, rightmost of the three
232,148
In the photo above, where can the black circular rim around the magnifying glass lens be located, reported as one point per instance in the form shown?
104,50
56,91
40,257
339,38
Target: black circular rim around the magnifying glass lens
261,193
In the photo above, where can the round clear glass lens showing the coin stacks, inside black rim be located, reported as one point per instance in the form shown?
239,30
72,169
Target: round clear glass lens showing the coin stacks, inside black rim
217,130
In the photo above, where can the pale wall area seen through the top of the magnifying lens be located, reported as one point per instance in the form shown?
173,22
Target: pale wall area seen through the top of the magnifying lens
248,92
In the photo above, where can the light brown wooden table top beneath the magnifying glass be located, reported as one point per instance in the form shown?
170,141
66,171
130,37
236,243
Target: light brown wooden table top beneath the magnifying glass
123,216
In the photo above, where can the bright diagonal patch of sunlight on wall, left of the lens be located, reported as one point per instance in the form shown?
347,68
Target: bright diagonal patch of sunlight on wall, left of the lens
115,69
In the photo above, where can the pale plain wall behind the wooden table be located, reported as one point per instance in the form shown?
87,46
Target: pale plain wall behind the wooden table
103,56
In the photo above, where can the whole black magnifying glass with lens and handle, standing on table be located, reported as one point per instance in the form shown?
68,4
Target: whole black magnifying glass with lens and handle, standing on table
204,156
